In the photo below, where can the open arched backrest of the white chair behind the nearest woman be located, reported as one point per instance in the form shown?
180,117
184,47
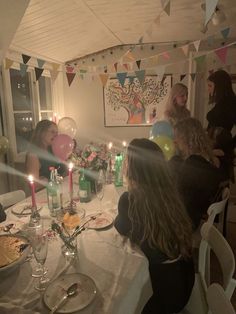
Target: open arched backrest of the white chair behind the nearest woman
213,240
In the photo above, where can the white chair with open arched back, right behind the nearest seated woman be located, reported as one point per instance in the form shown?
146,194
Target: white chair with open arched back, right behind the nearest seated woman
213,240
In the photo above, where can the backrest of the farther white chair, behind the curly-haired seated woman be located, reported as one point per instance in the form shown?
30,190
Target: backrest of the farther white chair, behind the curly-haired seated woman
218,208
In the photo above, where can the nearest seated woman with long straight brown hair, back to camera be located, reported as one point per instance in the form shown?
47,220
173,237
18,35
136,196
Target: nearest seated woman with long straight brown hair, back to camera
152,216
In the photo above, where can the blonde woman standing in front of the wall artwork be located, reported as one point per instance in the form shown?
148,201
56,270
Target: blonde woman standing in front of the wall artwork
176,109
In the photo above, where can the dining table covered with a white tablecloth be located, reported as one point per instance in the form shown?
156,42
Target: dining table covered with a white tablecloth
118,268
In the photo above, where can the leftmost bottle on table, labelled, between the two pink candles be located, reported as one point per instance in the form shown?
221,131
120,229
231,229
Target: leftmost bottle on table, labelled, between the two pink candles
53,193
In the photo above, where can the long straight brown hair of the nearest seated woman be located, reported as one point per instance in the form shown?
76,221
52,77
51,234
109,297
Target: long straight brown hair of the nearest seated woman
155,206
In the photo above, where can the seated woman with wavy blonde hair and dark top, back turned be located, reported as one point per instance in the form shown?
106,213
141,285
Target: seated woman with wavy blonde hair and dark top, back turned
198,179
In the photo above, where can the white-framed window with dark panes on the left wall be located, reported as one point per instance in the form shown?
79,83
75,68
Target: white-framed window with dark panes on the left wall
31,102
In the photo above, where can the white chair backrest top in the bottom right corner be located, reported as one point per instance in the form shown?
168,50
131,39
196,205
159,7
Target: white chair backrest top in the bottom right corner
217,300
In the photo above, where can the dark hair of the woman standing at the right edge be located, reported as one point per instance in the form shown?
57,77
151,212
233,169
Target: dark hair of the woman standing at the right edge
223,85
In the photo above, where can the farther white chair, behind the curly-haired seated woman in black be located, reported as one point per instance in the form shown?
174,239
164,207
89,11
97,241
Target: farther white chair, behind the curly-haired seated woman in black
217,208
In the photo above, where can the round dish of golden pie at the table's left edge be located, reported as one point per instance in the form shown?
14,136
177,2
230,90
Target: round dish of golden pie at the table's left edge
14,251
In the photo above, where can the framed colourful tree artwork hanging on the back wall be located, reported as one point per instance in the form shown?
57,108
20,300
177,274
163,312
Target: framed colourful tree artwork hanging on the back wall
135,104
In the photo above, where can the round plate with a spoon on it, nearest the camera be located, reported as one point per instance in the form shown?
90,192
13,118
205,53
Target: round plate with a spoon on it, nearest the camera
84,296
